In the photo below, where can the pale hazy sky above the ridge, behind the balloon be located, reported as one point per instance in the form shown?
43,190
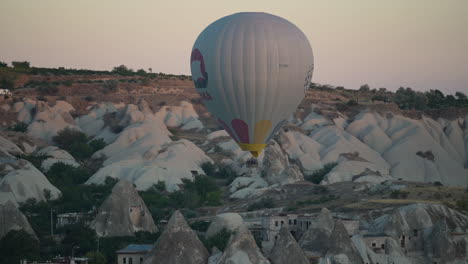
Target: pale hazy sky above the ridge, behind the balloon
418,43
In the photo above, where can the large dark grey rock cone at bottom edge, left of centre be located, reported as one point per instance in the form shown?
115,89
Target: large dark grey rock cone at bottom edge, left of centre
178,244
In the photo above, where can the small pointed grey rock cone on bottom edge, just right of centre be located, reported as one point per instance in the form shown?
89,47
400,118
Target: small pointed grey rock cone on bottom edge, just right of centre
286,250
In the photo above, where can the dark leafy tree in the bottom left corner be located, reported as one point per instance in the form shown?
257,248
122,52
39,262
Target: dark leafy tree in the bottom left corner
17,245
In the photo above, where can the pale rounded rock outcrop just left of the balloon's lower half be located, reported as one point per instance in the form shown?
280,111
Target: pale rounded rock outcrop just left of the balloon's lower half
183,116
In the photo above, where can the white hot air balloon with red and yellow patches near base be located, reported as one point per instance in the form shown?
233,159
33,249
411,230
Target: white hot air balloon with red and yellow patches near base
251,70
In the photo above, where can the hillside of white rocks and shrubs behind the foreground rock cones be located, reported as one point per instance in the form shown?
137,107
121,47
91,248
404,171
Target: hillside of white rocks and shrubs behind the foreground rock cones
359,153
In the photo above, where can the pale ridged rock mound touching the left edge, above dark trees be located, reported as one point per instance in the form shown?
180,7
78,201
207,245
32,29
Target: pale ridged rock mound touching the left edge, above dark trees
24,181
